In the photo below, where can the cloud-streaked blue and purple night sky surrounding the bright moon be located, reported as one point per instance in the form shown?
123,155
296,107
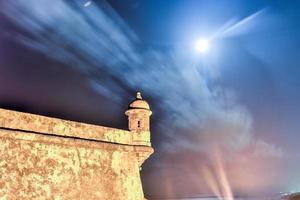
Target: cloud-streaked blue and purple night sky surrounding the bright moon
233,109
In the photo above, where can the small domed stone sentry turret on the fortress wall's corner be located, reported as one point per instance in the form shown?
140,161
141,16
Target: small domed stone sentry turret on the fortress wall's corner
138,114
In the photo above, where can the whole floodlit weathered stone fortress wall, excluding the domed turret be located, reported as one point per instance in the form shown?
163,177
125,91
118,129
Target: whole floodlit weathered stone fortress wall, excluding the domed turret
46,158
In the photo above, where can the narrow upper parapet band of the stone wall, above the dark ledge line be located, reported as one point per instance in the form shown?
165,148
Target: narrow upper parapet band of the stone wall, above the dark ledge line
47,125
